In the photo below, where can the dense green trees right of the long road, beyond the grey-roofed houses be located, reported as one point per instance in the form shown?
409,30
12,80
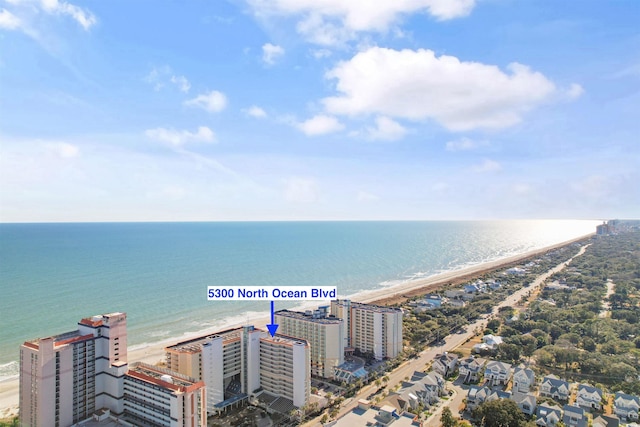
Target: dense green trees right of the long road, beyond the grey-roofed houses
575,330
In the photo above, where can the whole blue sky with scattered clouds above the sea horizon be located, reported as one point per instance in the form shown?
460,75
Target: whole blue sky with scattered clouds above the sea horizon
319,110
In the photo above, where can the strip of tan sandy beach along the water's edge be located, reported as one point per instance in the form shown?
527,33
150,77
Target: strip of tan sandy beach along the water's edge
154,353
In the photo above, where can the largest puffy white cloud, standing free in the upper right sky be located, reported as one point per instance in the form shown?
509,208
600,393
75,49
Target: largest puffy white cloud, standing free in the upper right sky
418,85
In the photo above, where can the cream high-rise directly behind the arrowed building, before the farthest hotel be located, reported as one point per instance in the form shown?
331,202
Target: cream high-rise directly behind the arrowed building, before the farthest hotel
324,333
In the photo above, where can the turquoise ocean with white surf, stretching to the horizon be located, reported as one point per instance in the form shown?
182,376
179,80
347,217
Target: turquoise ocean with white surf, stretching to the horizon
52,275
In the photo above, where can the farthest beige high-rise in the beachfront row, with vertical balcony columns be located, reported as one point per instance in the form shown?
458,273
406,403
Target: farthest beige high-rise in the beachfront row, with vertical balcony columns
370,328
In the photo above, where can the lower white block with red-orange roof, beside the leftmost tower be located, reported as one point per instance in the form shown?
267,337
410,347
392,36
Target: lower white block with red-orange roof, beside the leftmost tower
159,397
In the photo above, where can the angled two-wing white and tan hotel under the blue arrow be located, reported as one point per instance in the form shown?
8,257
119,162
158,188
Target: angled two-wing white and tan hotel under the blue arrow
236,362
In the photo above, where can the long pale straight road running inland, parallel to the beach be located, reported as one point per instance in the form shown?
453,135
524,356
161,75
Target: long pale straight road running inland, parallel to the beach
451,342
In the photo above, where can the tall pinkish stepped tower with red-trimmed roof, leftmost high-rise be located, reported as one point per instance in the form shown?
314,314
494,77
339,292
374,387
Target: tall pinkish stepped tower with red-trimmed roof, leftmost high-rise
65,378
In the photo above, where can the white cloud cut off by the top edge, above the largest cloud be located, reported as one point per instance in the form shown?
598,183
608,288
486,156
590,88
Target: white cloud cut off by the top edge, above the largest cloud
329,22
